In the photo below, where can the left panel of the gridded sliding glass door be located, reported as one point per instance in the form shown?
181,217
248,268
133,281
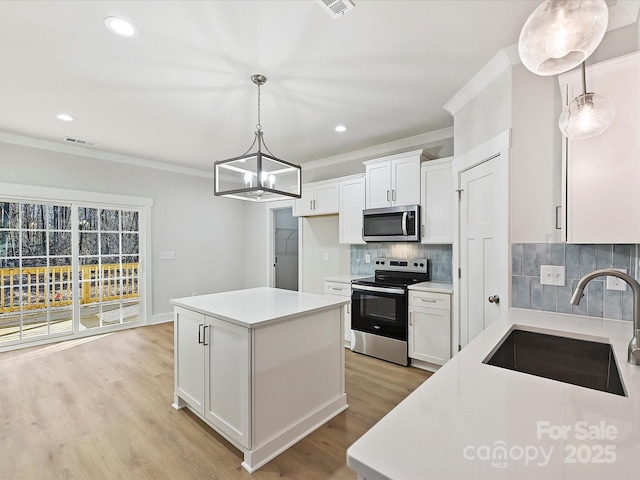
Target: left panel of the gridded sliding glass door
35,270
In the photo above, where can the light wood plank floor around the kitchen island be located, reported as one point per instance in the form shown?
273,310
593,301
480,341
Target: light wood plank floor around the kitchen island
100,408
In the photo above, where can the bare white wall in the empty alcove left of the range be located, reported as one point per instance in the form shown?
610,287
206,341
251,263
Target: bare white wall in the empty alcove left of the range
320,236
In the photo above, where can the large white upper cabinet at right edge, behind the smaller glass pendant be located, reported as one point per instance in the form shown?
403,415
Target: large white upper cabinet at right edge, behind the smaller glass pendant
600,174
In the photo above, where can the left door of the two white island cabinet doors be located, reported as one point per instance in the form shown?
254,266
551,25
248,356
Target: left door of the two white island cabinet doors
189,360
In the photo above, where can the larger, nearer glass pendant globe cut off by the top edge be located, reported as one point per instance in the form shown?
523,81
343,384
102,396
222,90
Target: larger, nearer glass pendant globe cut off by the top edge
561,34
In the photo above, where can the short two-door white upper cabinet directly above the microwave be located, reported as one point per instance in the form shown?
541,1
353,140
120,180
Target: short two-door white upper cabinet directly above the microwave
393,180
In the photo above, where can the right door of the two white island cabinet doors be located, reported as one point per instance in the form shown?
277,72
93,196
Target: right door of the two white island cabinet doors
228,379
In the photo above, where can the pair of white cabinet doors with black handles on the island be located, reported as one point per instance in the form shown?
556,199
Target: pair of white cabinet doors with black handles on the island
212,371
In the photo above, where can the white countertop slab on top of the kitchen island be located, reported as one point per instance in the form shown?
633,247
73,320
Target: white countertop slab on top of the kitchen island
254,307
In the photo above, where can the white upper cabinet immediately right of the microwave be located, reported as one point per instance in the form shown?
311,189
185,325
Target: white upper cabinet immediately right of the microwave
437,201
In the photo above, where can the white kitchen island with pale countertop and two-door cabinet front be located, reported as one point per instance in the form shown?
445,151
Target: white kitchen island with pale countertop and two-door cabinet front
264,367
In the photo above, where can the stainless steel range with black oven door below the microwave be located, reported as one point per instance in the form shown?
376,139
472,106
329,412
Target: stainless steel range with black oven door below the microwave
379,308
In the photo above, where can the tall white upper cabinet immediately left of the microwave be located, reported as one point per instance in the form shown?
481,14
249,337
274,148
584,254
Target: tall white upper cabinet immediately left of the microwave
351,194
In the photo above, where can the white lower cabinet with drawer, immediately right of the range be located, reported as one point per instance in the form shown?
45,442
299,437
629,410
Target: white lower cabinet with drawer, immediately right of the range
429,327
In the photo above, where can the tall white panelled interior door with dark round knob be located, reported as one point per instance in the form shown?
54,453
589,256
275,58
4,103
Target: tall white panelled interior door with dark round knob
483,244
